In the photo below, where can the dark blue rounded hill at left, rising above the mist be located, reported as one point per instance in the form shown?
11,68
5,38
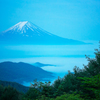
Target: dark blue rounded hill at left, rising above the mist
20,72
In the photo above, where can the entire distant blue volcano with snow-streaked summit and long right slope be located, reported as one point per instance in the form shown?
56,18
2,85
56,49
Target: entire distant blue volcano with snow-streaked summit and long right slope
28,33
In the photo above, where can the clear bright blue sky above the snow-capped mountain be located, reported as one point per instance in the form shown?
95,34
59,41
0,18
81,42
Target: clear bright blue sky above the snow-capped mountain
74,19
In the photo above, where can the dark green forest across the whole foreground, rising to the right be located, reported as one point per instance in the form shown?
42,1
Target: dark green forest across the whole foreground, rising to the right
83,84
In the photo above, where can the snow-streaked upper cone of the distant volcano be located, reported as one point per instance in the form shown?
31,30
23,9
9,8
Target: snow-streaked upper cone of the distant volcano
27,28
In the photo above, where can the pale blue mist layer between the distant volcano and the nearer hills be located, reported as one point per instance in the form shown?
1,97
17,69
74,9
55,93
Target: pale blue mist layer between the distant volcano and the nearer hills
62,57
